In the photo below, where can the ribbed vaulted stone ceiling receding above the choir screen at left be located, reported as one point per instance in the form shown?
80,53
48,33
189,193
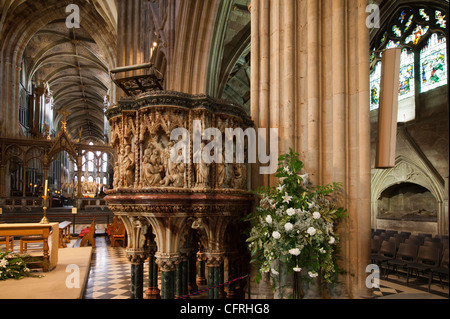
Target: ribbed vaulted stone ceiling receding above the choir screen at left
71,62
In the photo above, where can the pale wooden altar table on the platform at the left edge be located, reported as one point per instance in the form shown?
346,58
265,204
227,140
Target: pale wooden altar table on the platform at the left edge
49,232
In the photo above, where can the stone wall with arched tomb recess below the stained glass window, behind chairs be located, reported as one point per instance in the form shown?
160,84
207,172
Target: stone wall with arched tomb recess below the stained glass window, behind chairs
422,157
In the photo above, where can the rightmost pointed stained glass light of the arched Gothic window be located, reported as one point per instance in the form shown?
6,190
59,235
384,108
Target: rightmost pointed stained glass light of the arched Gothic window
433,63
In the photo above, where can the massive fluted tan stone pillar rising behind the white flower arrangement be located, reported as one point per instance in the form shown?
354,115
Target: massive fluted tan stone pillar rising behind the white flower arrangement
310,80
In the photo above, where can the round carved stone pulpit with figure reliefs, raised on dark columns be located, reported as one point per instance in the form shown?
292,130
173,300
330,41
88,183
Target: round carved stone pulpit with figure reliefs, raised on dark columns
182,214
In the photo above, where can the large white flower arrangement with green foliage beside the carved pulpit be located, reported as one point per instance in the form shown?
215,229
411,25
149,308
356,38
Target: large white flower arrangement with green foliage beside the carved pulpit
294,225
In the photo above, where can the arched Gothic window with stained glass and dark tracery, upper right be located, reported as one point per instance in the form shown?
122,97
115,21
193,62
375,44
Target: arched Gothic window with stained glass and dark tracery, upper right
419,31
